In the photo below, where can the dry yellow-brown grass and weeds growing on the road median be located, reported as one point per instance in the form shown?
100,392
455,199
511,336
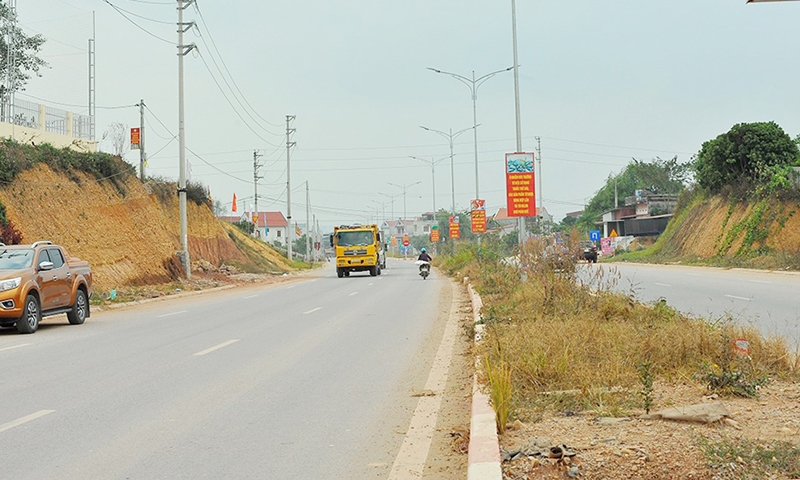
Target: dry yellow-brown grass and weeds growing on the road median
574,347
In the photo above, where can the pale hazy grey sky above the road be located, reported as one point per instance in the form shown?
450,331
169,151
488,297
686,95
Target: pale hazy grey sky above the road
600,83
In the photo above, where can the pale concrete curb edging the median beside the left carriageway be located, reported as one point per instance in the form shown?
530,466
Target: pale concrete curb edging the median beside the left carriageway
484,446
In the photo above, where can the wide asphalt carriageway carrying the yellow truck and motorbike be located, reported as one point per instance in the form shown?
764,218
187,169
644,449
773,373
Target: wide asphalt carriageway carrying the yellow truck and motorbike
309,379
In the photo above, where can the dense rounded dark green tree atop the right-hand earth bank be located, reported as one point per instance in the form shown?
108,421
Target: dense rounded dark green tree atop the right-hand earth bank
748,155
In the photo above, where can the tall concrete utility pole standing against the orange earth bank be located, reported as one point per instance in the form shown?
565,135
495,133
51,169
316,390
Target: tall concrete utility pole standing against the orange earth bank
182,51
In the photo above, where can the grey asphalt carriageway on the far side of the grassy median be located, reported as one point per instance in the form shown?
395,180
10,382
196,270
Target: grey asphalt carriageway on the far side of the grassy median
770,301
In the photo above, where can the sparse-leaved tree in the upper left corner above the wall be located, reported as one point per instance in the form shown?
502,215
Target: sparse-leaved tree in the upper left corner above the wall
23,50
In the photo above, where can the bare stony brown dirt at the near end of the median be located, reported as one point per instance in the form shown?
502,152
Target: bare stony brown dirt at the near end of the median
656,449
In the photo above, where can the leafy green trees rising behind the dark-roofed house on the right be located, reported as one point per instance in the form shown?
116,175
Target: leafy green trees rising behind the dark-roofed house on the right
656,176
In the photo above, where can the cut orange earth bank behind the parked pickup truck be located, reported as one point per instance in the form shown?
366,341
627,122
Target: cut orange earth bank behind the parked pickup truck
126,229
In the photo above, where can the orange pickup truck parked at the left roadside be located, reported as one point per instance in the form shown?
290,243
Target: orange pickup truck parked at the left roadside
40,280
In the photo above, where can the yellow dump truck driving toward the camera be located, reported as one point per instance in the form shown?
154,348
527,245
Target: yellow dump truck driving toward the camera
358,249
